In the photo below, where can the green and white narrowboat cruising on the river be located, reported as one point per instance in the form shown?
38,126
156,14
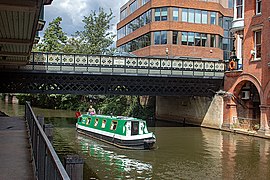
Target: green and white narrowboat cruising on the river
120,131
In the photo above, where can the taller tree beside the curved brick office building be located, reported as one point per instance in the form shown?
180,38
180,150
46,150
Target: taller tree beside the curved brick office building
95,38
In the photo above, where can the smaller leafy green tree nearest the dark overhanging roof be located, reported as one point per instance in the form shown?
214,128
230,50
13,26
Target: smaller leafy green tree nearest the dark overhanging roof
54,38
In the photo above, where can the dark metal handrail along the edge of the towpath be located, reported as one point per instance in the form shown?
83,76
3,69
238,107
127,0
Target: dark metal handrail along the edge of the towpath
46,163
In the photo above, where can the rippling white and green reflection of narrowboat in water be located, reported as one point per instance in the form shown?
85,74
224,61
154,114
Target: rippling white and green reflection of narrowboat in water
104,158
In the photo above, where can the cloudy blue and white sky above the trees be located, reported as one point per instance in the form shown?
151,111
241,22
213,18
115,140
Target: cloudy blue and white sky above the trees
73,11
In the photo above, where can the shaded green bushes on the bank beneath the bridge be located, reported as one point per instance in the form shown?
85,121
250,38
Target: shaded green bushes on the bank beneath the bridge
136,106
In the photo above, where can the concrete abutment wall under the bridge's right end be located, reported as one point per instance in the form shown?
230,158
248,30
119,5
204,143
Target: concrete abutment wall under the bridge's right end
203,111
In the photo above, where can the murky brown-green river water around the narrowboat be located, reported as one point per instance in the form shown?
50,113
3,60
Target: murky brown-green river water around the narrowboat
181,153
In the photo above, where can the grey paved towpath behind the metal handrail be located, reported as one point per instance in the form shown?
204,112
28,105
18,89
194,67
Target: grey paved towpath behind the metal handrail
15,159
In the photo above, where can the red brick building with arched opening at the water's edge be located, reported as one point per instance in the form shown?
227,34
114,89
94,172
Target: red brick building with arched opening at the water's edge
249,83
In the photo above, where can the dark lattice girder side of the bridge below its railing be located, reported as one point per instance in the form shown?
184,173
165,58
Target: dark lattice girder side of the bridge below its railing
61,83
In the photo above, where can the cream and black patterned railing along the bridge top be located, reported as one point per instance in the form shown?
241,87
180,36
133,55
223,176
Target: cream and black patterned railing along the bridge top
81,63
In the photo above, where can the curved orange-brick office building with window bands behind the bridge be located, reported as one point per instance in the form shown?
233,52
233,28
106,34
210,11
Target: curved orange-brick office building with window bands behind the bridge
176,28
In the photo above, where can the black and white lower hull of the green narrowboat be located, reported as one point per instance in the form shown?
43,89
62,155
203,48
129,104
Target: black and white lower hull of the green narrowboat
138,144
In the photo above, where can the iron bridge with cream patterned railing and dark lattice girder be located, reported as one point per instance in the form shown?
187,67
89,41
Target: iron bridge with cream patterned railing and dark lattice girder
60,73
